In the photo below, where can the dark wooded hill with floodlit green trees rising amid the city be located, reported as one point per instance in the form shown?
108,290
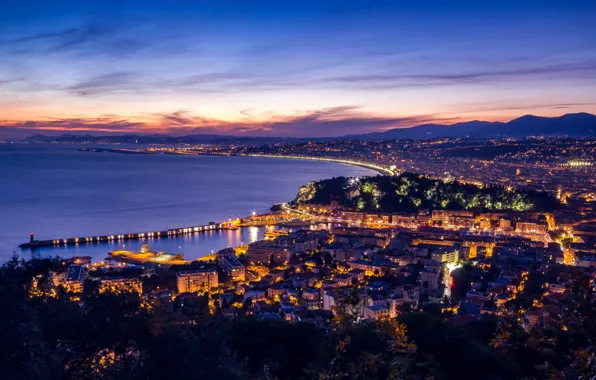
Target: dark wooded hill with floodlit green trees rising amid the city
409,192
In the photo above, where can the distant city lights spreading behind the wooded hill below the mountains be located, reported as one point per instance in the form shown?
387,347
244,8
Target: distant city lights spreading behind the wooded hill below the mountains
553,164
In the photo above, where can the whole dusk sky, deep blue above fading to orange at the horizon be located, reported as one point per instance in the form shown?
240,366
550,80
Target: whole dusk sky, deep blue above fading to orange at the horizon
289,68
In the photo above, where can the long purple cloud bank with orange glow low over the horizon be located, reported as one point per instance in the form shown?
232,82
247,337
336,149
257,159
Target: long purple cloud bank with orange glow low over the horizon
335,121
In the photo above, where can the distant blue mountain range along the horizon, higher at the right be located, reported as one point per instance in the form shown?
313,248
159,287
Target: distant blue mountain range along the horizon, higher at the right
575,125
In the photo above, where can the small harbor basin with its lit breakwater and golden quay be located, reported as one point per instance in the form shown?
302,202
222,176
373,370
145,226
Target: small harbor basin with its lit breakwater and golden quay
195,242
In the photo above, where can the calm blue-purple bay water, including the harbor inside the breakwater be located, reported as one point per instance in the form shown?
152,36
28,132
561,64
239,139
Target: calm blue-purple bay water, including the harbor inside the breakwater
58,192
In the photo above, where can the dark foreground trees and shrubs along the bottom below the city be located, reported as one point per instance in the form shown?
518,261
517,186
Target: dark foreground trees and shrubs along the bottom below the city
48,334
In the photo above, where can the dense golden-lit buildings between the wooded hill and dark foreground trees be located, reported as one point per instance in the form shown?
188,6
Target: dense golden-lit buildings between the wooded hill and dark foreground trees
468,263
